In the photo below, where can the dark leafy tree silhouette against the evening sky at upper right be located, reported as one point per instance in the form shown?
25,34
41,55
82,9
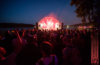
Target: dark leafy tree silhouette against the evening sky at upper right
87,9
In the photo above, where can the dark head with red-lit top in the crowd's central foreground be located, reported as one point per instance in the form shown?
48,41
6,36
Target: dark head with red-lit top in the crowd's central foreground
46,48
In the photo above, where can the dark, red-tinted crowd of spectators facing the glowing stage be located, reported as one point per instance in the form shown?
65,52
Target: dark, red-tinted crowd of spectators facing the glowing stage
36,47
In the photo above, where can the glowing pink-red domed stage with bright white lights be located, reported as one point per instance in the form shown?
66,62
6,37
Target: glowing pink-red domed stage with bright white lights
49,23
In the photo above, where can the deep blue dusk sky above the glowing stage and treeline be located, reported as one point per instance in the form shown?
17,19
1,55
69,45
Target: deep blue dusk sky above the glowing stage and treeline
31,11
